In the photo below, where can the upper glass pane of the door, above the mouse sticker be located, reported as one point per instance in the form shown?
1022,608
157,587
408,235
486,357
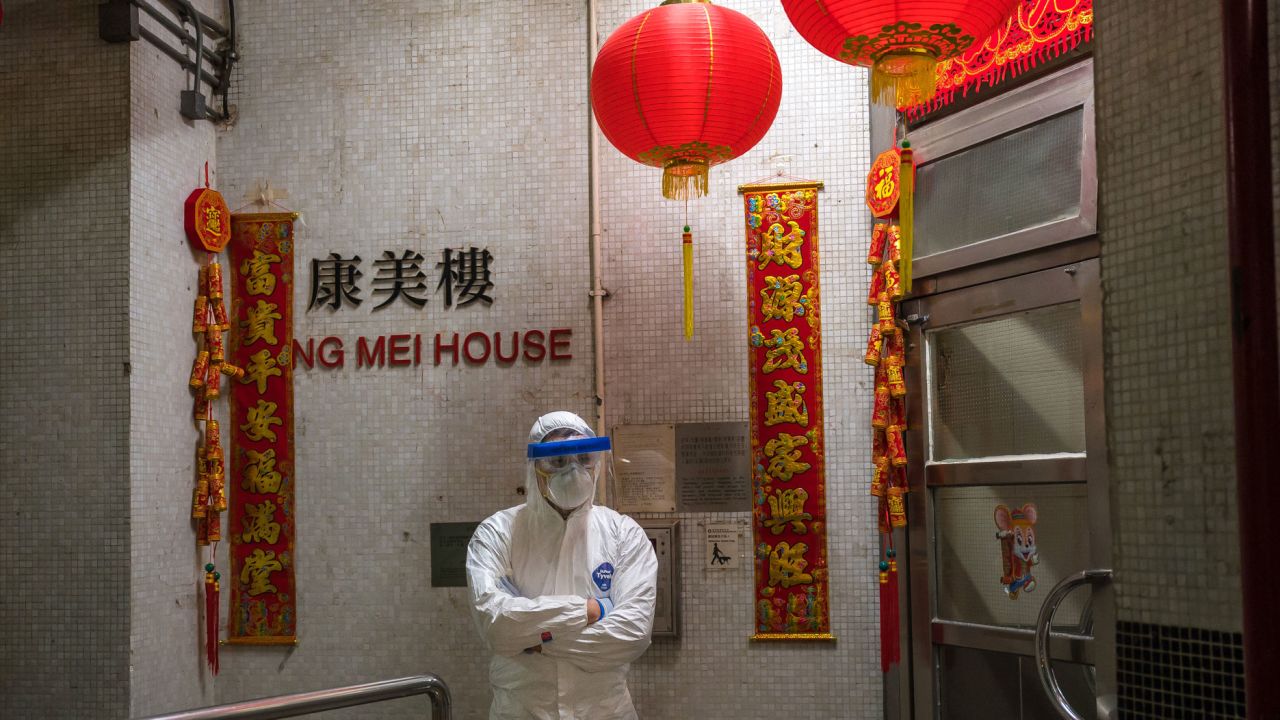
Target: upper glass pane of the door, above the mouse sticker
1008,386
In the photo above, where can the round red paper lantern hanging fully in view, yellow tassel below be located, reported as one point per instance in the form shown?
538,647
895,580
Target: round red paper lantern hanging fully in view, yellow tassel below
685,86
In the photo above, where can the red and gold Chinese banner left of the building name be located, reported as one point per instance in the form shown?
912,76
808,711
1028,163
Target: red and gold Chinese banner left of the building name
263,481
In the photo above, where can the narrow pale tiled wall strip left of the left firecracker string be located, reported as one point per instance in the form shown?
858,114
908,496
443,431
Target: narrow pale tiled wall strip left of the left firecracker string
167,158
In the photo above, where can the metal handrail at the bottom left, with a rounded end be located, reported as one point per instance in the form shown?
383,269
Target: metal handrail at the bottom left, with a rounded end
319,701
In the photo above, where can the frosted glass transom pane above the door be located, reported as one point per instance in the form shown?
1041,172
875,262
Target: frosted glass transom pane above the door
1018,181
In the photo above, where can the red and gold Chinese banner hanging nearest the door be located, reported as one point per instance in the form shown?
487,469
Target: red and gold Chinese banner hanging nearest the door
785,371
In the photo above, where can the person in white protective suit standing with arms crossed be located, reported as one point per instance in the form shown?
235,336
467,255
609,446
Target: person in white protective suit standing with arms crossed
563,590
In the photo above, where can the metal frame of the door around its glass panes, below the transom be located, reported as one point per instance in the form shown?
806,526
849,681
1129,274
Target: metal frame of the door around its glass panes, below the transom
1077,281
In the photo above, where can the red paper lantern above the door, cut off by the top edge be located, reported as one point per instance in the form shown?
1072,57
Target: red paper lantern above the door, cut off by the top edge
900,40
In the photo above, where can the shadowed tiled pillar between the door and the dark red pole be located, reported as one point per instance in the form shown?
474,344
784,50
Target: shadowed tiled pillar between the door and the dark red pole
1163,221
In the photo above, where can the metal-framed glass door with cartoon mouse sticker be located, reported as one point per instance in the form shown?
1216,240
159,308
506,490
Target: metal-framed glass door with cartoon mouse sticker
1009,496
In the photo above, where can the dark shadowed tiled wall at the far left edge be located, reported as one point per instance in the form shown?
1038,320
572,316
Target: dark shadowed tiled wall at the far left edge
65,364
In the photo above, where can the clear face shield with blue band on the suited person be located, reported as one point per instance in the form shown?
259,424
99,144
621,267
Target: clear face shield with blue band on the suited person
569,468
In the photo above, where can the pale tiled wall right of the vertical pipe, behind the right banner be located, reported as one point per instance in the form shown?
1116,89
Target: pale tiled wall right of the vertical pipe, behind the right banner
653,376
